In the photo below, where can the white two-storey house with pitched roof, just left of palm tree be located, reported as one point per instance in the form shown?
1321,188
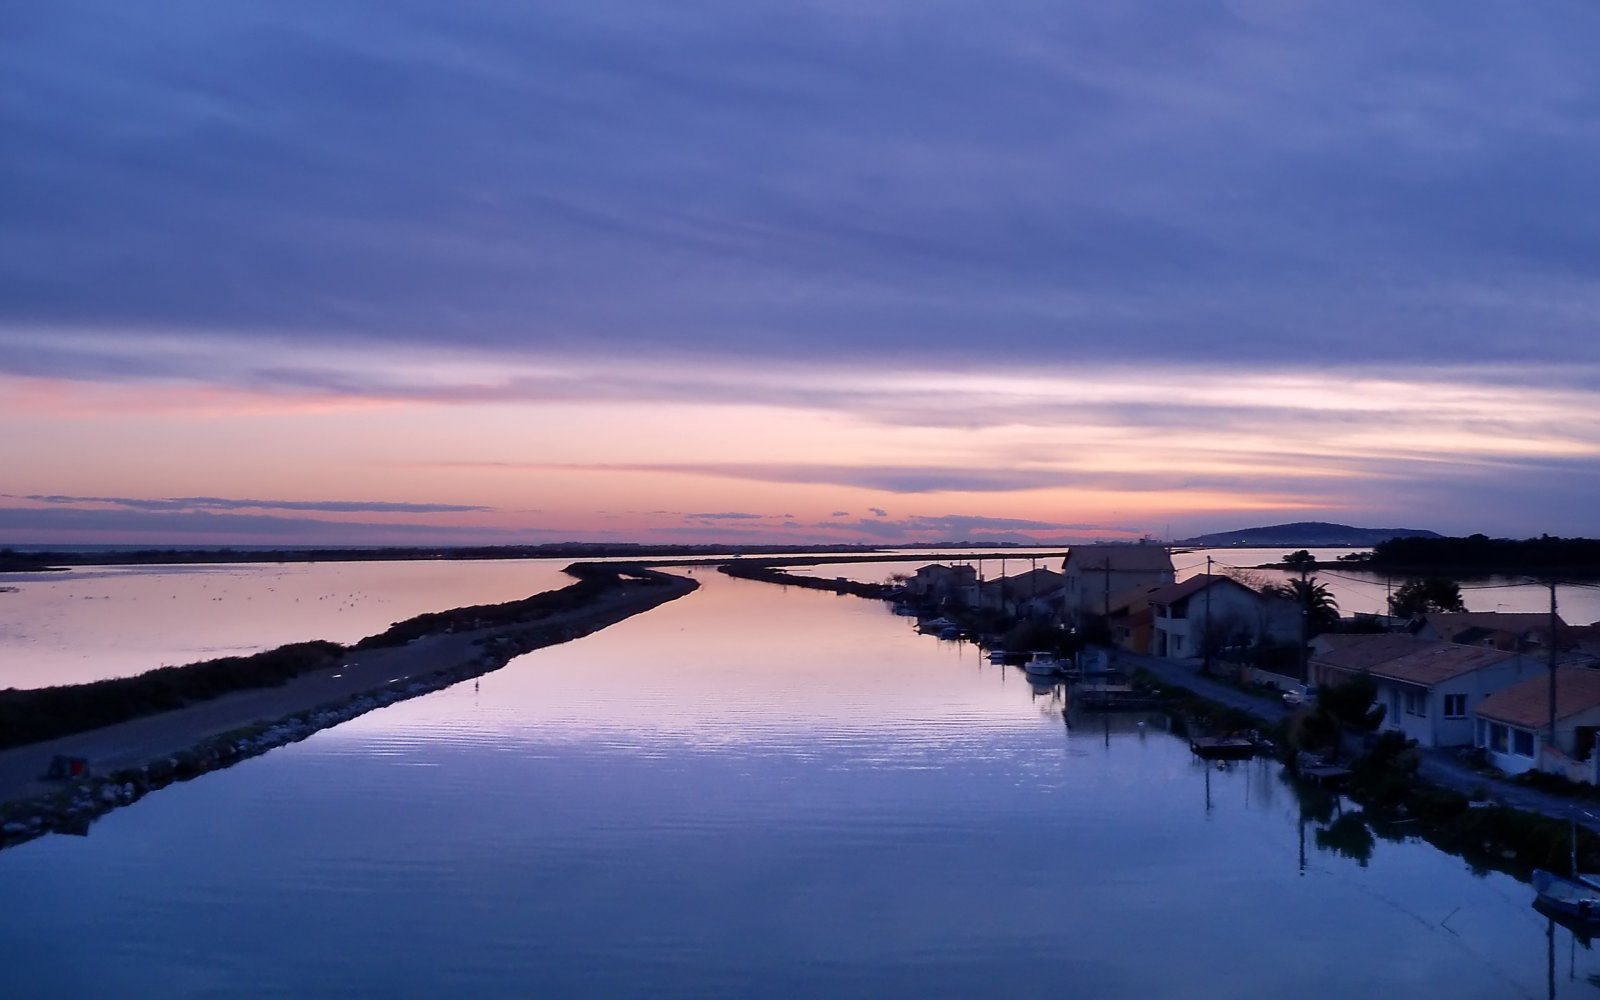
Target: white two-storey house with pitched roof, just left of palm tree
1218,612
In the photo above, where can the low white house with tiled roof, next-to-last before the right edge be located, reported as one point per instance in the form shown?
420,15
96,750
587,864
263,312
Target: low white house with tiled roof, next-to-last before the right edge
1430,690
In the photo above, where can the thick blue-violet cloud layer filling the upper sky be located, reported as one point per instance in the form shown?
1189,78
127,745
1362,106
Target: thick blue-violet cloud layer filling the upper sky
1332,185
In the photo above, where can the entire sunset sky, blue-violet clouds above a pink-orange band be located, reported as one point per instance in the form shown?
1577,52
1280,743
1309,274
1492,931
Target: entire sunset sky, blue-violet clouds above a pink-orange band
402,273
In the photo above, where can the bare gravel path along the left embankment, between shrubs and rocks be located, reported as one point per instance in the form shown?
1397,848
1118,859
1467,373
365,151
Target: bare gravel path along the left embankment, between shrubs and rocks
158,738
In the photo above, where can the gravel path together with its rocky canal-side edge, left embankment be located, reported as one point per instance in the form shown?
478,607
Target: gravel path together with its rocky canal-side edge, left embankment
140,756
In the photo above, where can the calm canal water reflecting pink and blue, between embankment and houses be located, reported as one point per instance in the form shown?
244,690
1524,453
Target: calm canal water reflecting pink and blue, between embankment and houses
754,791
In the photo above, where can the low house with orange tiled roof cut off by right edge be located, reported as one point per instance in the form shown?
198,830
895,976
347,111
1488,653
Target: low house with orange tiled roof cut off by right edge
1513,726
